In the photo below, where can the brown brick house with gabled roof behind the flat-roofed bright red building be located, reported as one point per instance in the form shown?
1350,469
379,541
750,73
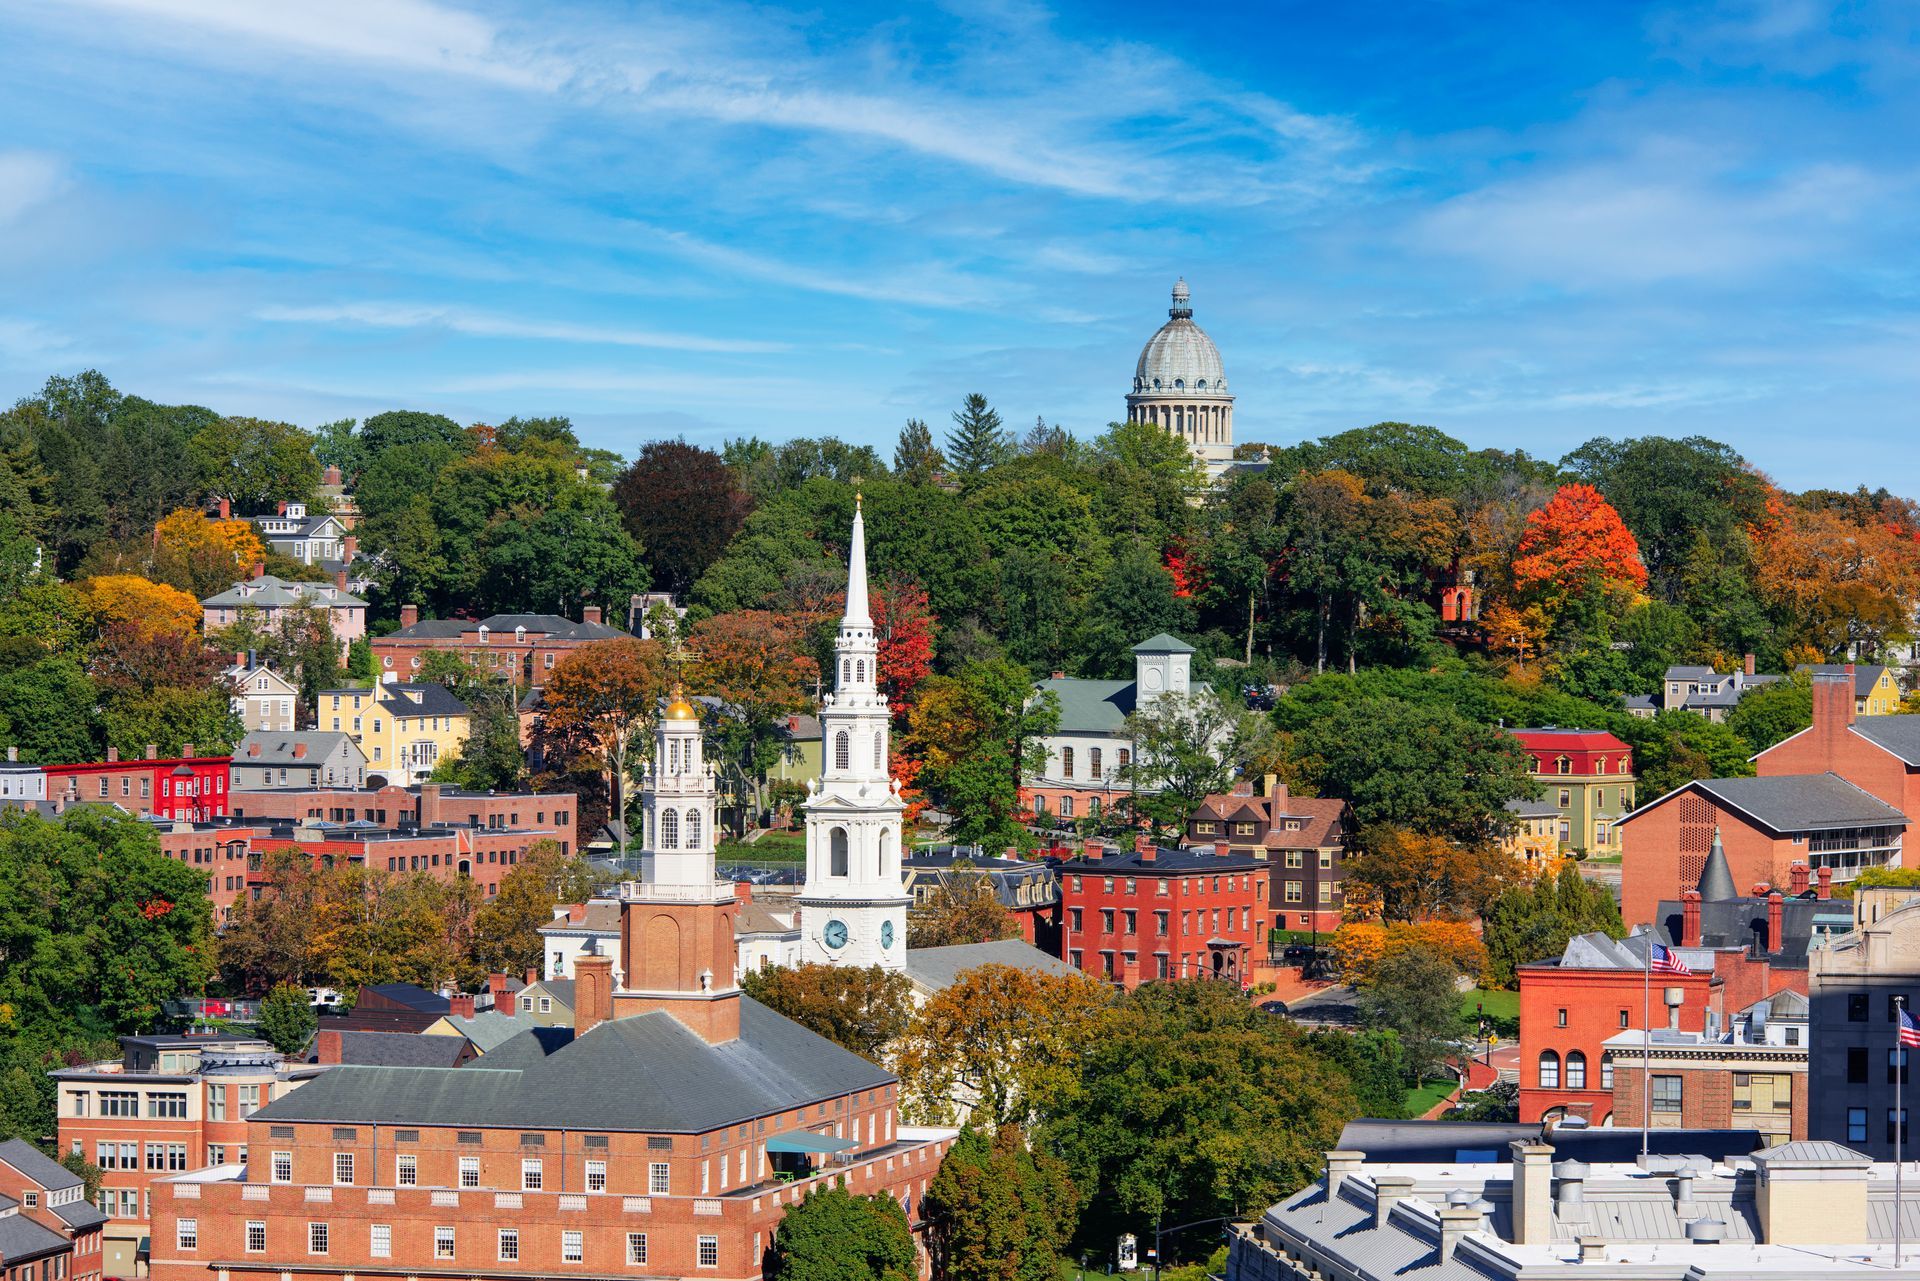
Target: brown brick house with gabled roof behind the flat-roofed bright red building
1305,844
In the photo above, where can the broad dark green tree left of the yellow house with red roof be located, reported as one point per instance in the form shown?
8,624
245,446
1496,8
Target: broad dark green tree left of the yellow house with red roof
1408,765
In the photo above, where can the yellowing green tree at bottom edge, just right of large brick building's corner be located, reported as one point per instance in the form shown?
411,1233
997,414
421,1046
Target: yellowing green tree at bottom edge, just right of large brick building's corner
999,1211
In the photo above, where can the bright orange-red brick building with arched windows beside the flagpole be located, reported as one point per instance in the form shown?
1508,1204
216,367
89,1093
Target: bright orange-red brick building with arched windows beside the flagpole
1573,1003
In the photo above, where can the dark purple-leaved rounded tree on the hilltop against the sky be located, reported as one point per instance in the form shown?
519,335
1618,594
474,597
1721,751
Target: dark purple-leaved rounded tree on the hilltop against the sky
684,506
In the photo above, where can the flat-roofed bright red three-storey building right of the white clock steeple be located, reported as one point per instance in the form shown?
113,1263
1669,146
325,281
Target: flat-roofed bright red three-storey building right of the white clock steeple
1164,913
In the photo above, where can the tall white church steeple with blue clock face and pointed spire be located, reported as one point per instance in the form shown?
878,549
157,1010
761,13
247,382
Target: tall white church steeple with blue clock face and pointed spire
853,906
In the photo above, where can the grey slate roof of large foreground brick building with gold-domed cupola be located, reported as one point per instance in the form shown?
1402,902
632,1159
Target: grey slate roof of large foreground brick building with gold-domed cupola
644,1075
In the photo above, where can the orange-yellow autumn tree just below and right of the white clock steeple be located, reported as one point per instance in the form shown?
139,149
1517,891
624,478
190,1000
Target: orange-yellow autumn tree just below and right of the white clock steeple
1001,1046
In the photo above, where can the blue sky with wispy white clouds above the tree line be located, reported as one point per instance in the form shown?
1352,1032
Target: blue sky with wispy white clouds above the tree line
1524,224
